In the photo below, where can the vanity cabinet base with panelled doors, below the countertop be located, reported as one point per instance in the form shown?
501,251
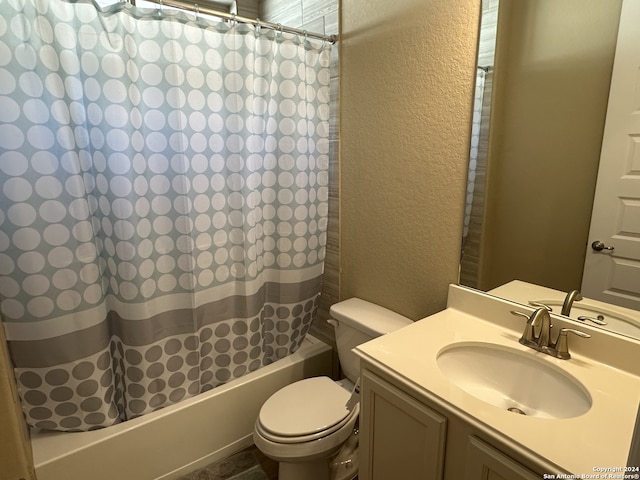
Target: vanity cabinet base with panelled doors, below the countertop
405,436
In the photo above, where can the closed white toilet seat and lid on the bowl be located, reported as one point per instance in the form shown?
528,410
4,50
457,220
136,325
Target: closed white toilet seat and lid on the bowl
304,411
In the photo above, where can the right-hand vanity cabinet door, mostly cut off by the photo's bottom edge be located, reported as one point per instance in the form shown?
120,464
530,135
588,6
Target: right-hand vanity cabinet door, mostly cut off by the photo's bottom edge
486,463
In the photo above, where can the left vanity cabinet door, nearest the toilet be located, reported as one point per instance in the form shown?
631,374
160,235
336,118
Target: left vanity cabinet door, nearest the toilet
399,437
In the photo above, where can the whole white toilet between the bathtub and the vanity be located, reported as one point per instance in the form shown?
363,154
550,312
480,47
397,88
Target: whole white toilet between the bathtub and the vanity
303,424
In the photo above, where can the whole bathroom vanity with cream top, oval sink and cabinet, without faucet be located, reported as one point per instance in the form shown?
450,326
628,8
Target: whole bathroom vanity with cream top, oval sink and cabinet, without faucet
457,396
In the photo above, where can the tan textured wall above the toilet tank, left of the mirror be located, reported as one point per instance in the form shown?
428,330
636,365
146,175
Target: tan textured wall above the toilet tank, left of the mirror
407,73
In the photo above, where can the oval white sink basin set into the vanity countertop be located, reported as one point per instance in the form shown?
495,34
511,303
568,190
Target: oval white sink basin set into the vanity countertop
513,380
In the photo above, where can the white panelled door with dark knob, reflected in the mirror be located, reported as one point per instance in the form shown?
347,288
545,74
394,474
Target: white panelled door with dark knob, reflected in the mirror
612,274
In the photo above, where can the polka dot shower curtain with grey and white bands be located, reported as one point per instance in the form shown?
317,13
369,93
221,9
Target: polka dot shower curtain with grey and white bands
163,202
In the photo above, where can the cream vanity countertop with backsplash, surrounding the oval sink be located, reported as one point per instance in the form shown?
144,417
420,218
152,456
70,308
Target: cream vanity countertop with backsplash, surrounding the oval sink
598,439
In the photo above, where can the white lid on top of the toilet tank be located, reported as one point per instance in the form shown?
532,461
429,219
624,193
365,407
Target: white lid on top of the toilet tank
368,317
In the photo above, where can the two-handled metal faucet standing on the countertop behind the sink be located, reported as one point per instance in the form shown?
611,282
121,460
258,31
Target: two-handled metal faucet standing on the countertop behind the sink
537,334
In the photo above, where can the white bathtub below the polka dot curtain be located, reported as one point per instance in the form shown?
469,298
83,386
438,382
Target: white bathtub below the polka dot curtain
176,440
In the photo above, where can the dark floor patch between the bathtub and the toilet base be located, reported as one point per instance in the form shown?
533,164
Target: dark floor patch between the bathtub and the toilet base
249,464
